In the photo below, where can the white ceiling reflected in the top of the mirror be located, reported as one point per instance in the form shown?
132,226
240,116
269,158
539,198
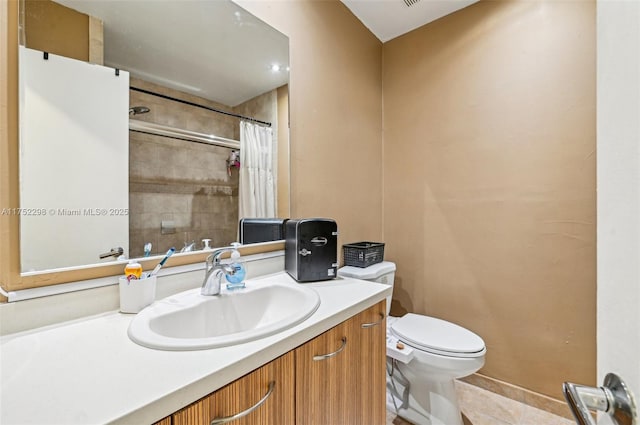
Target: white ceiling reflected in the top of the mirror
212,49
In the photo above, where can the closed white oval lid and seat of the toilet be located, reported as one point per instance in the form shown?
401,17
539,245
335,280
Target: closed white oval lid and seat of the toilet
437,336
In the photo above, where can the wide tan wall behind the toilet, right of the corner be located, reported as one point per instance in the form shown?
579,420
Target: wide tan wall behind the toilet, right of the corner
489,189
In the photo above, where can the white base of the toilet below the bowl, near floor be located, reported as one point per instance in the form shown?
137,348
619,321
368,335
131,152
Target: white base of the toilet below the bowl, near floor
423,402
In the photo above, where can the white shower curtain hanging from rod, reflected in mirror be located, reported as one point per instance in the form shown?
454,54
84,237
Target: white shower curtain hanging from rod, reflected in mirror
257,191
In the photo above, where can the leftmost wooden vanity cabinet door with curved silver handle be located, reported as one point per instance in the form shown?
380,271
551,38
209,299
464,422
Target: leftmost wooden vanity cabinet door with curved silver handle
246,393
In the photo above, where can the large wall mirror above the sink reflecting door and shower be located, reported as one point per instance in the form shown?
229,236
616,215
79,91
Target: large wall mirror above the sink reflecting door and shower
195,67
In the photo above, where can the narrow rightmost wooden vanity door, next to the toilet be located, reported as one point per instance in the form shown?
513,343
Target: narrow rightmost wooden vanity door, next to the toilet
372,328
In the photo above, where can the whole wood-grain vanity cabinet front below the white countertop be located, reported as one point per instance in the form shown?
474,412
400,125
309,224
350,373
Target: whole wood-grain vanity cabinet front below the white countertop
337,378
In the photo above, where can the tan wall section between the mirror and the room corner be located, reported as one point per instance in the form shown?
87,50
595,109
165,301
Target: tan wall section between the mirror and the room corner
336,114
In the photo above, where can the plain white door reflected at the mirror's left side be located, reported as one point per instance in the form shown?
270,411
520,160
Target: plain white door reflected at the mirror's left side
74,161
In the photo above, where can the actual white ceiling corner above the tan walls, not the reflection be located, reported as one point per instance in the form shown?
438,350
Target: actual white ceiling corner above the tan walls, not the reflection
388,19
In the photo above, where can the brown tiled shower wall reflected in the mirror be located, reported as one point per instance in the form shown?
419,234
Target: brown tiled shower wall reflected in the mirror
181,183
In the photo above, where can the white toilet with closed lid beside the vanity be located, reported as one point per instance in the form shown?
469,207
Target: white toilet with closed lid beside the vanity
420,378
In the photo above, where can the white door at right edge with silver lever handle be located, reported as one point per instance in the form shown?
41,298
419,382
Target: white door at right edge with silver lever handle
618,184
